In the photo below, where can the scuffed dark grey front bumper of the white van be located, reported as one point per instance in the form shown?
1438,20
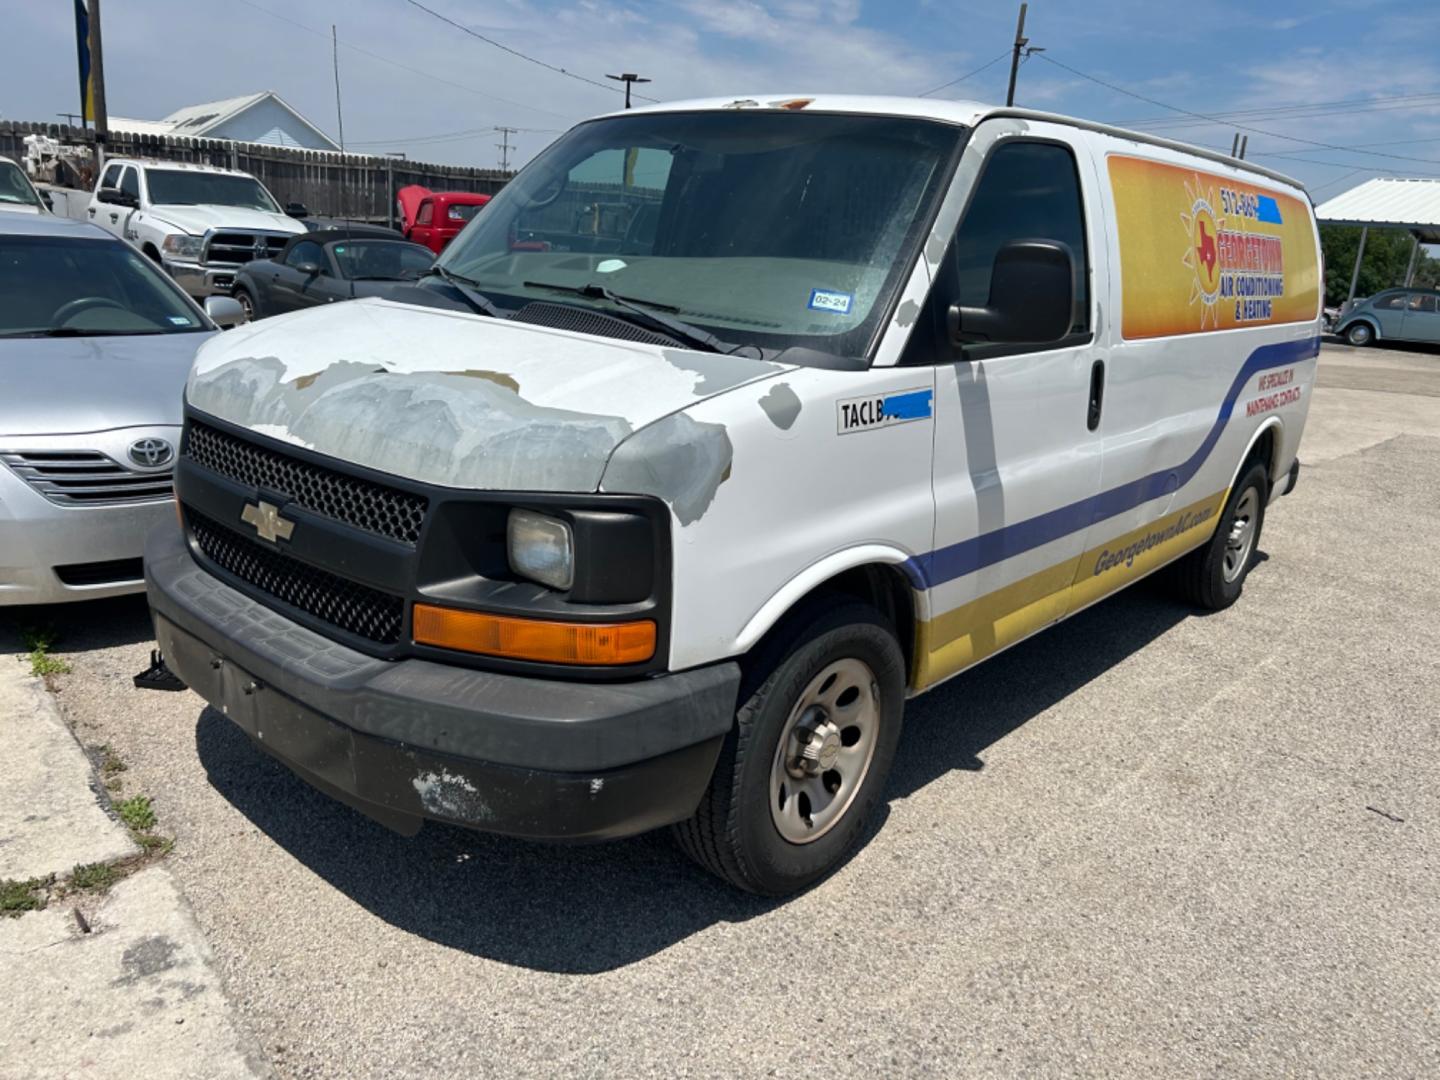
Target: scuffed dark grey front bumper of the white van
413,741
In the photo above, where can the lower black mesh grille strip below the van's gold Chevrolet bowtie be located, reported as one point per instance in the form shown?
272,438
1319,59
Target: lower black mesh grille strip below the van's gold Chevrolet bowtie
346,606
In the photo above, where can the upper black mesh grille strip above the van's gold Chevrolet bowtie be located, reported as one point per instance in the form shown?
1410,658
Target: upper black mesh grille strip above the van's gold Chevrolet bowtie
374,508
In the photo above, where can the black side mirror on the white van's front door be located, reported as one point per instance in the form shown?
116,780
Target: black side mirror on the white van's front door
1032,302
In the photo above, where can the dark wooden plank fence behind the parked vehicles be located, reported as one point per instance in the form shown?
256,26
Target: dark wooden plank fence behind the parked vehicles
330,185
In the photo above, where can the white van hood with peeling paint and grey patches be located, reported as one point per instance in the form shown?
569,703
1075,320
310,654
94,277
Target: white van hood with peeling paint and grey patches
453,400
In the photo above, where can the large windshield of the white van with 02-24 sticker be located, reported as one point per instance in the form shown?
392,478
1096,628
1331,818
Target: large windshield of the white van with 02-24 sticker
765,228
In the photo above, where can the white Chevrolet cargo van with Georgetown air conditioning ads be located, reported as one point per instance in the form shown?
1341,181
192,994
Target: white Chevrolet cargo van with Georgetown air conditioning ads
728,428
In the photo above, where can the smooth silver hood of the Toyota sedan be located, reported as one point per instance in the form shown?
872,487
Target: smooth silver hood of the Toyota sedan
70,385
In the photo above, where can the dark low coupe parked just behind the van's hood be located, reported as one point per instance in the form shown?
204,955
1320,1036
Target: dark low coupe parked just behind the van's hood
323,267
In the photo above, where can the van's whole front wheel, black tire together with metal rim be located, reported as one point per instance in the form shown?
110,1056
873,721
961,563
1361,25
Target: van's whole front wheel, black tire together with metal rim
809,757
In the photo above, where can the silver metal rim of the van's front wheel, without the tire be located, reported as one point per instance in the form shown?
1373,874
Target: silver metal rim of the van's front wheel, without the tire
826,751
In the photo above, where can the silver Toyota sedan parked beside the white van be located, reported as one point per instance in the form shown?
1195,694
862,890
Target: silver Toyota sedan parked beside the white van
96,345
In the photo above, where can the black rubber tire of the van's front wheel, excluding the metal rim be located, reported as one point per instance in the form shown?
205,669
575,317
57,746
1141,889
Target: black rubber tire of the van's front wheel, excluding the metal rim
734,833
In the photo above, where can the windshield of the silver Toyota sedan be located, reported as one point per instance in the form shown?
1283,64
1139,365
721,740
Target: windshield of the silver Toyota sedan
66,287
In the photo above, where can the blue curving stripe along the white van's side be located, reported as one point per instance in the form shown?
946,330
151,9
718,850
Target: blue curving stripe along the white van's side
968,557
